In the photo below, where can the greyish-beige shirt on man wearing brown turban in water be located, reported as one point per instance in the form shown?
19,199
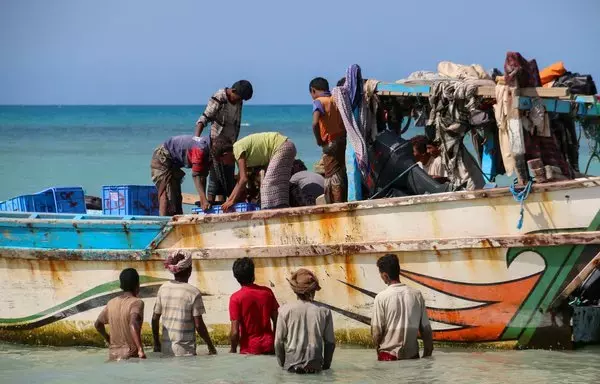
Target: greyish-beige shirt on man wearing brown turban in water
302,330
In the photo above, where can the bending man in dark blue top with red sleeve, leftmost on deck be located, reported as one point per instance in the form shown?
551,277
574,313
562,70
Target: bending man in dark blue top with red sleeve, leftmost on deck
178,152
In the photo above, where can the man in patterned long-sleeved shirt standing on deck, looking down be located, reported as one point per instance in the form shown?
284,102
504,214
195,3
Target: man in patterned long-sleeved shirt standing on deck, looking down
224,112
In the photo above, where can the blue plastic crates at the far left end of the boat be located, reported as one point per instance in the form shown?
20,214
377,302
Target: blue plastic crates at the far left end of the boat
51,200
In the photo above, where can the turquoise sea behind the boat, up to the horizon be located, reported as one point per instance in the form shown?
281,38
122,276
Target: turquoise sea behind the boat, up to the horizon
91,146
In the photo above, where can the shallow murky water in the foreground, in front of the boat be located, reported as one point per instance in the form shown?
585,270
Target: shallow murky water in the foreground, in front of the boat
20,364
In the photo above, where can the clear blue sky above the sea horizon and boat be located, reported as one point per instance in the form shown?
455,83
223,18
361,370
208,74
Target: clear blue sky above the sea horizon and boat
180,51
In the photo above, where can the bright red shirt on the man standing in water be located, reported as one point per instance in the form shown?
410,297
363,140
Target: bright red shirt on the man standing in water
253,306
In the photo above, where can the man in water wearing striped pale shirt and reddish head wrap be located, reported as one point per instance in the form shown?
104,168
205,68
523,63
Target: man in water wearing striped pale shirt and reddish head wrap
182,307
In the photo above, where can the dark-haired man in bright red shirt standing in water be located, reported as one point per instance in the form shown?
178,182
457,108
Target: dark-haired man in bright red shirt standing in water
251,310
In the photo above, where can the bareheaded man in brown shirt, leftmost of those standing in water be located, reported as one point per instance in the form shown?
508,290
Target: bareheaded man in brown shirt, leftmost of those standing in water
125,314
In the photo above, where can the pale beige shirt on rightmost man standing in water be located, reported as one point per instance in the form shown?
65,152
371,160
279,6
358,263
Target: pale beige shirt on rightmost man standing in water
398,312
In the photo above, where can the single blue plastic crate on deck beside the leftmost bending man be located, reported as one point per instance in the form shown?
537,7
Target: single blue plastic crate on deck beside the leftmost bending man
129,200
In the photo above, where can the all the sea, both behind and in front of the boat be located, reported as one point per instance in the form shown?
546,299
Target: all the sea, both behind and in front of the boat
92,146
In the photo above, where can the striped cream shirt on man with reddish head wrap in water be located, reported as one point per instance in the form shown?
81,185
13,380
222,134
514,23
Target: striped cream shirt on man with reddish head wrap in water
178,304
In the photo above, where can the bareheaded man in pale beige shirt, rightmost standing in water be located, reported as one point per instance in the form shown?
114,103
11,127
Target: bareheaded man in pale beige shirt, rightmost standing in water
399,313
